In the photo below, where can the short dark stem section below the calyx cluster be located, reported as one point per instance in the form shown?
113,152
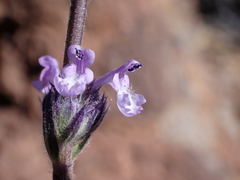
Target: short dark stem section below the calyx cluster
62,172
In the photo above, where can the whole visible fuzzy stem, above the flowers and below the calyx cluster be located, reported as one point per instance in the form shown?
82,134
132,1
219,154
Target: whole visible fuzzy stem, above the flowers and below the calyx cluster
63,169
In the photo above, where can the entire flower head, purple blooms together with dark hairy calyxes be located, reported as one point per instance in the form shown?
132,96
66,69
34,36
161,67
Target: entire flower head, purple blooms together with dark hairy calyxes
73,109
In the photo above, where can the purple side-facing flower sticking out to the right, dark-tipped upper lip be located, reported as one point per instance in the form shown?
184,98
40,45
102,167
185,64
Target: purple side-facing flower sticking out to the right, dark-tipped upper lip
128,102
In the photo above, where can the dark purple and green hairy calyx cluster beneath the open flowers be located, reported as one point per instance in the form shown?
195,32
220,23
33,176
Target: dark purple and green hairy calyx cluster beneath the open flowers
68,122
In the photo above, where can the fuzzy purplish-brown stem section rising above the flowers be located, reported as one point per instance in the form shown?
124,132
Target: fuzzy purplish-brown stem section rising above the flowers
76,24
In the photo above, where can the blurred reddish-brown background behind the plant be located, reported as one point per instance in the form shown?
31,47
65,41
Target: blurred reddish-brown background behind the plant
190,126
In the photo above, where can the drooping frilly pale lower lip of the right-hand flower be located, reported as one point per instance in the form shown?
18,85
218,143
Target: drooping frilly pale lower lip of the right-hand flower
130,104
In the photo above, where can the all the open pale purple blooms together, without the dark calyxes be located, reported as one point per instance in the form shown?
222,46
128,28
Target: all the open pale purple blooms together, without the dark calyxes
75,77
